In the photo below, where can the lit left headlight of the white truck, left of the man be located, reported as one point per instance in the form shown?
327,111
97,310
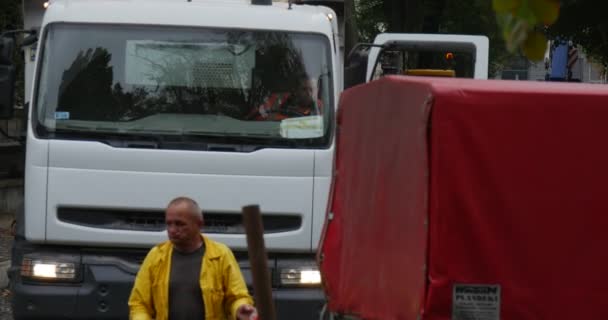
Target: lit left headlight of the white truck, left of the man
48,270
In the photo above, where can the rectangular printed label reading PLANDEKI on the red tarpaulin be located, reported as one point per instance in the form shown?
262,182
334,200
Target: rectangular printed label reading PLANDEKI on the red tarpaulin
476,302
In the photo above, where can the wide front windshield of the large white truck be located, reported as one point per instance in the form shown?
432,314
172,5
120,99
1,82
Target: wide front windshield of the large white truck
270,87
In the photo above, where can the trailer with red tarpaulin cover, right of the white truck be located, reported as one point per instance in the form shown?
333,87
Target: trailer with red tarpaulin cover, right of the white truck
463,199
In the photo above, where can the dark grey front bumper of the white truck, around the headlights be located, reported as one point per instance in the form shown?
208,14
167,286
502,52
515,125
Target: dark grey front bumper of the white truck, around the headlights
104,288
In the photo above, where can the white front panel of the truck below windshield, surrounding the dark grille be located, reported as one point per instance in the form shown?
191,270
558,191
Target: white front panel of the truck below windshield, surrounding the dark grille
79,175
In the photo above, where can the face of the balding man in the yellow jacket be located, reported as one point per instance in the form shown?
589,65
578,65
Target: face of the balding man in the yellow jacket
183,227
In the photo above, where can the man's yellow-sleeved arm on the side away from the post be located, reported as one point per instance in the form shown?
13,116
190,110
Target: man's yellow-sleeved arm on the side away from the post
140,301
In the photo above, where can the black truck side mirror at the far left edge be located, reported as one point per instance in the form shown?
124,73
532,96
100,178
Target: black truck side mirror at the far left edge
7,78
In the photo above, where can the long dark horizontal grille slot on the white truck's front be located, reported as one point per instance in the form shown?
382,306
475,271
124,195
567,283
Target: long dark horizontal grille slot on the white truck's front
215,222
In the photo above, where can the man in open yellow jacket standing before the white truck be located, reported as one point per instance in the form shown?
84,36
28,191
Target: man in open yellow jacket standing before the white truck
190,276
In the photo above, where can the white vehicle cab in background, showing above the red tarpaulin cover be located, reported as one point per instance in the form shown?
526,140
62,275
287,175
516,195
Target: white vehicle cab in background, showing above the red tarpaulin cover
444,55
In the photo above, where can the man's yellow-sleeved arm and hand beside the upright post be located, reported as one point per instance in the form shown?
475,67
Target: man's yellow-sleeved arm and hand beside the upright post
236,294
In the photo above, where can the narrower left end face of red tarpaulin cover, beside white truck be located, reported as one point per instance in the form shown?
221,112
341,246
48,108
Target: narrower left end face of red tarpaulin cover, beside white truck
376,242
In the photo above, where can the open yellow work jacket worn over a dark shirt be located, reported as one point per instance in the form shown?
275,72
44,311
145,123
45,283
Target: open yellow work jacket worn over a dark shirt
221,282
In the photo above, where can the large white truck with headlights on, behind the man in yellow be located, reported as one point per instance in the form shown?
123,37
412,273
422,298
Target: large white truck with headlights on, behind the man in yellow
135,102
